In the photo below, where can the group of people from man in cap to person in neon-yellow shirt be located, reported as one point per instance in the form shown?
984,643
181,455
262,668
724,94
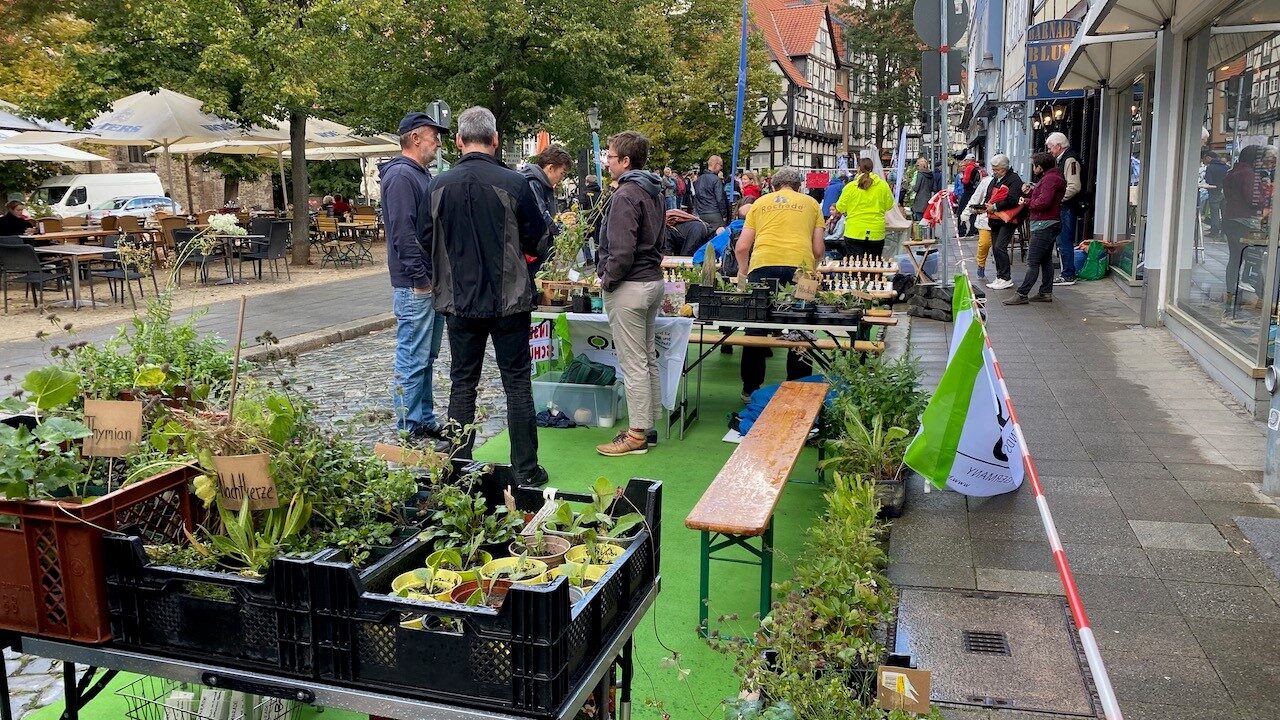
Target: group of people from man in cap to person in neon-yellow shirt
464,249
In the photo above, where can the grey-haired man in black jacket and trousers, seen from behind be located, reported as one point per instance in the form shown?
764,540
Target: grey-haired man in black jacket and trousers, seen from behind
484,224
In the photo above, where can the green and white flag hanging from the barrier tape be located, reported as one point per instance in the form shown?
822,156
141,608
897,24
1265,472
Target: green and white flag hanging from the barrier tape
967,441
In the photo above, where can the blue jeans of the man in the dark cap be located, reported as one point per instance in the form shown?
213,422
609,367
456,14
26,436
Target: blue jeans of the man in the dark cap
419,331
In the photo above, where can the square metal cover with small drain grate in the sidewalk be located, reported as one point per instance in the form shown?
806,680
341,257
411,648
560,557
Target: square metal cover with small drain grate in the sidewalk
996,650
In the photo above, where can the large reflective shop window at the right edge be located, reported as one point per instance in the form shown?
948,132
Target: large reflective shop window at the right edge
1224,253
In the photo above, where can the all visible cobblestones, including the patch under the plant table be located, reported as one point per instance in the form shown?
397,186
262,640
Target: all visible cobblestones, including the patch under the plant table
351,386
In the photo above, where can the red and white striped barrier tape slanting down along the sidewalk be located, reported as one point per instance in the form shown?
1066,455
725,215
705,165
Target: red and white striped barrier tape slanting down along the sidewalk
1092,655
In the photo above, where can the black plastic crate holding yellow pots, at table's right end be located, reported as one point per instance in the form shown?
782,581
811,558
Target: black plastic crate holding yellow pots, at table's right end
524,658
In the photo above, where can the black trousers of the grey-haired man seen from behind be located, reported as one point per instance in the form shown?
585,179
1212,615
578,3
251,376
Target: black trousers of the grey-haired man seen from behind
468,340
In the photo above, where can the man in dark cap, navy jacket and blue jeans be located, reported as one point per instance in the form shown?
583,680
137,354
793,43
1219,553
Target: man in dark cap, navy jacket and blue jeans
419,329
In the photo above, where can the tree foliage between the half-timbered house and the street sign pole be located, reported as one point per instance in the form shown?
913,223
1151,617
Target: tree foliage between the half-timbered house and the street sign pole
885,53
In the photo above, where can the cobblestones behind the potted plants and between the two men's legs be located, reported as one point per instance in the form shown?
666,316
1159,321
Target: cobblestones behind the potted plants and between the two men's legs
351,385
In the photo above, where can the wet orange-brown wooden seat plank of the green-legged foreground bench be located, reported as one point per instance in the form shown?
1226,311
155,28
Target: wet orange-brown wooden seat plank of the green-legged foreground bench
742,499
